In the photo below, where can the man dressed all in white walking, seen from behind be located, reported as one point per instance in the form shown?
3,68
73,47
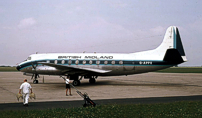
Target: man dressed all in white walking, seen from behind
25,87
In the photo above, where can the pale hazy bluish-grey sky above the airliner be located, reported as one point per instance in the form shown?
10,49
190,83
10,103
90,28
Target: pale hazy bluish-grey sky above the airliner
111,26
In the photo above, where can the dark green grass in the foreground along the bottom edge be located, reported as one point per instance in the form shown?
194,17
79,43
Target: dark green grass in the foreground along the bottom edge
165,110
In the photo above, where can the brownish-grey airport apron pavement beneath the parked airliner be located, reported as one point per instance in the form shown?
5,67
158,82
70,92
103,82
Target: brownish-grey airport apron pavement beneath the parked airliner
141,86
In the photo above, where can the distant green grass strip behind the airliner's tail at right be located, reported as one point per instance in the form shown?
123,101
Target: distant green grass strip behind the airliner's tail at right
182,70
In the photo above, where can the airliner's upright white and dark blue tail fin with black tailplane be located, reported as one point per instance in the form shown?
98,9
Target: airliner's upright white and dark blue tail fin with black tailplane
173,45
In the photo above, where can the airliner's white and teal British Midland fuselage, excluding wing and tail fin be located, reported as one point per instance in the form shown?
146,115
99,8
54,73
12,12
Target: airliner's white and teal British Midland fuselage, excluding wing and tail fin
118,64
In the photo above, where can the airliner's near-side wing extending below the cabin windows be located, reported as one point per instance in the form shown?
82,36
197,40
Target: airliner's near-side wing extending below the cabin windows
70,69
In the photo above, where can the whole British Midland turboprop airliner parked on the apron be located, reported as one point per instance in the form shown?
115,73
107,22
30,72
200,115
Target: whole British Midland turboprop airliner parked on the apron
91,65
